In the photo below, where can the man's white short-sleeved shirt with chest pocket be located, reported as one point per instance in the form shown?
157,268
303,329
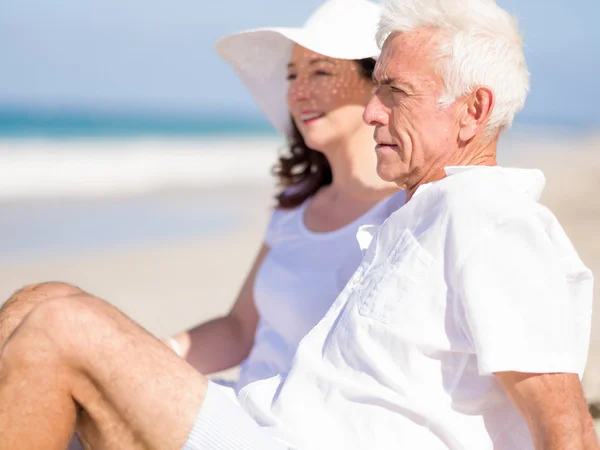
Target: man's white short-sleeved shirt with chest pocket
472,276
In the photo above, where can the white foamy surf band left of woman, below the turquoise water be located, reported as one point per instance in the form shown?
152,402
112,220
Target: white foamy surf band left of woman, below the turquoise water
104,167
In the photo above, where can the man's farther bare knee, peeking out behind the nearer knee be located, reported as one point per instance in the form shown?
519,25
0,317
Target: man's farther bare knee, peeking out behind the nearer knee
25,300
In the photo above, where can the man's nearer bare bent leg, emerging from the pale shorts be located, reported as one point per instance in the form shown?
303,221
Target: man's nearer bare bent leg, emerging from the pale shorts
77,361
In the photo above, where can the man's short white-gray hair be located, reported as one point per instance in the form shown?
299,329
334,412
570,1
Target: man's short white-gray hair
479,45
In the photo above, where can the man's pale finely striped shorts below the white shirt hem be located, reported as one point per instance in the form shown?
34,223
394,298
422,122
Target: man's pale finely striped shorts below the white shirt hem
222,424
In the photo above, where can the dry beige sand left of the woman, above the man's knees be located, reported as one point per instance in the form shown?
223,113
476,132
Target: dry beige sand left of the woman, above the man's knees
165,286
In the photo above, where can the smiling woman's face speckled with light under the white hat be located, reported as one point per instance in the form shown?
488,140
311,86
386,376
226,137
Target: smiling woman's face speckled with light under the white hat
326,97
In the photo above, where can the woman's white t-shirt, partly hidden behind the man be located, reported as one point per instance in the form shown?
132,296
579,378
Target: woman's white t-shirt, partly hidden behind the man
300,278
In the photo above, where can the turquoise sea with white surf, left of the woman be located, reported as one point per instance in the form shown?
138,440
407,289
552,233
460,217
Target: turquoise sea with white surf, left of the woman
50,153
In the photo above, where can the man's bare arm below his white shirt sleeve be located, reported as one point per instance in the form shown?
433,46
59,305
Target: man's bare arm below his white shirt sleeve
554,407
